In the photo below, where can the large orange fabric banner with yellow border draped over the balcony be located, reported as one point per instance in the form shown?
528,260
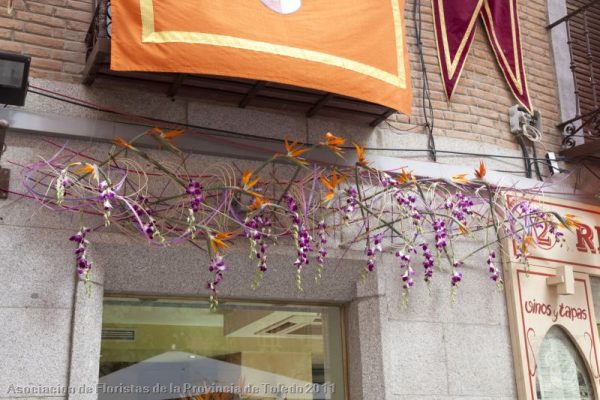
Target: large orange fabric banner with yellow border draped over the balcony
355,48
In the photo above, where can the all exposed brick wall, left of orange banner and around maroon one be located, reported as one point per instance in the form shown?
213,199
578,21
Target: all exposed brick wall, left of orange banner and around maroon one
52,31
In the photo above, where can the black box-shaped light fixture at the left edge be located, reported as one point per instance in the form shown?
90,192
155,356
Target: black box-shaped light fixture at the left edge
14,78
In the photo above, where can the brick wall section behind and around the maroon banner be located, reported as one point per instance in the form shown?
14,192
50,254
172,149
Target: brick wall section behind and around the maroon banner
479,108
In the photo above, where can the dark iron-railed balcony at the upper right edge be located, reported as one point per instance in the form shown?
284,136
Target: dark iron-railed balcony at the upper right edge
582,26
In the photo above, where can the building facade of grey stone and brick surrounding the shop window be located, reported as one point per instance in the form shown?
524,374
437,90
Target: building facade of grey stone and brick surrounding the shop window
51,330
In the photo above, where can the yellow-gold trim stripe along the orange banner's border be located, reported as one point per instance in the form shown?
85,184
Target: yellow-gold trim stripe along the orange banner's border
149,35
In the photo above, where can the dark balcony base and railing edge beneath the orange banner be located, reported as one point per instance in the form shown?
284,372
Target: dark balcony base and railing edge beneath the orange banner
241,92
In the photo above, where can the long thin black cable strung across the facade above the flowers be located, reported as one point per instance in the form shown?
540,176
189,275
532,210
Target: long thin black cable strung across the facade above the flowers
247,136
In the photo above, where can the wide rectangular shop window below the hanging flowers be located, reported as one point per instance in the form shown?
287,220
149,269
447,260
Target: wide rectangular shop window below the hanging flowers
179,349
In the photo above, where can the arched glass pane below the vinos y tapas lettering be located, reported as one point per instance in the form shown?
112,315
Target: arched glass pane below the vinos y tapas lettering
561,372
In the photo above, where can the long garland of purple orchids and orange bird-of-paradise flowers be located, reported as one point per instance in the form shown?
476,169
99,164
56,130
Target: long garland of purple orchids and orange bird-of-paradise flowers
391,212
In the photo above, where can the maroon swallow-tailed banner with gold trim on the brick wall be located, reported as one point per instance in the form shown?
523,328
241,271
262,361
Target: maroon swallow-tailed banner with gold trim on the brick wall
455,23
